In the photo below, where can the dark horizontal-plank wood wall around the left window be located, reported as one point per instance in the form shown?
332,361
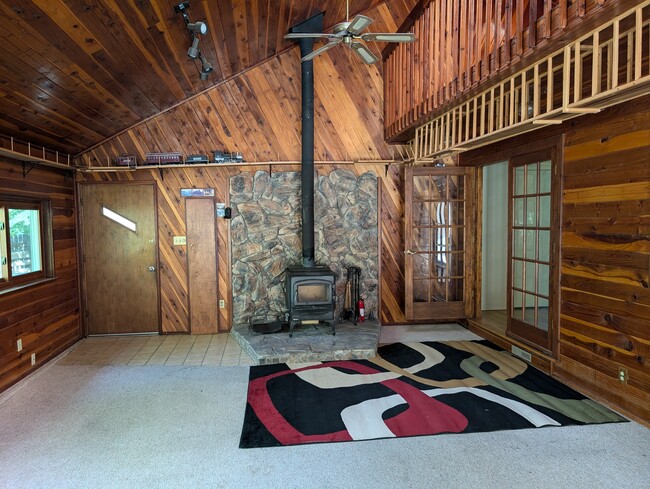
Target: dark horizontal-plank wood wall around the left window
45,316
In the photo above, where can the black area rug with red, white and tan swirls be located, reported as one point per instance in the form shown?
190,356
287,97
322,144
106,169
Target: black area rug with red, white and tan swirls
408,390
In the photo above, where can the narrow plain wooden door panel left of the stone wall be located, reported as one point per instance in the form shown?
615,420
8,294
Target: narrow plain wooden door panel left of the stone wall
202,262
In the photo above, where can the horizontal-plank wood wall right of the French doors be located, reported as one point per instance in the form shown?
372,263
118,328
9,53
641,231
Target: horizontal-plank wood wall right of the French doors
605,275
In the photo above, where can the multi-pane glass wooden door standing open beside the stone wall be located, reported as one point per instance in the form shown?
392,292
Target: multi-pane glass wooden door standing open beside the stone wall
439,240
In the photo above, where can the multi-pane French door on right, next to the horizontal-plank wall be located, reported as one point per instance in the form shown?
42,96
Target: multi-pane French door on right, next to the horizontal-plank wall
533,250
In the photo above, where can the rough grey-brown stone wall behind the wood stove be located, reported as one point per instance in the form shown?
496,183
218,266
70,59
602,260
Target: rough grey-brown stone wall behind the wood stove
266,237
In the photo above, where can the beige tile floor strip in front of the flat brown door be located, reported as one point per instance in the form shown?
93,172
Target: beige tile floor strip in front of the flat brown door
210,350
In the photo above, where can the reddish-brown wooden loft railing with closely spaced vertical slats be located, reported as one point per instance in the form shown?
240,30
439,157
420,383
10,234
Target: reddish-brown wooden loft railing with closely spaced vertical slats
461,43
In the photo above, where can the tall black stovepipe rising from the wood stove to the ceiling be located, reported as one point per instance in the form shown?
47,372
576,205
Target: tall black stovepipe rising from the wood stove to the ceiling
313,24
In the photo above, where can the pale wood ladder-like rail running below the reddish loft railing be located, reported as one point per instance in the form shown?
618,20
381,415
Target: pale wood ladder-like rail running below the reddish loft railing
607,66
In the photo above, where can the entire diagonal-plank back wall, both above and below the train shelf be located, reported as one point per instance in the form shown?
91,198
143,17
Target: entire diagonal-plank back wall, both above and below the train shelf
258,114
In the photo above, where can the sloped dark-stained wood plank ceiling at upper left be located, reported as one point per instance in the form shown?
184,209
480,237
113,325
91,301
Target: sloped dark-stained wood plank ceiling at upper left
75,72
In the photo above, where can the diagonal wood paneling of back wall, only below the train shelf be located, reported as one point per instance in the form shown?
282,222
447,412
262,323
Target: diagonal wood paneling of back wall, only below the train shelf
171,222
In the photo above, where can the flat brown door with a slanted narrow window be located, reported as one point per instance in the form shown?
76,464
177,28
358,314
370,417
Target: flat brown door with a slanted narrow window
119,255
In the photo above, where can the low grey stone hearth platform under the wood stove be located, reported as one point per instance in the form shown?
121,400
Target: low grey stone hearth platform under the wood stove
310,343
